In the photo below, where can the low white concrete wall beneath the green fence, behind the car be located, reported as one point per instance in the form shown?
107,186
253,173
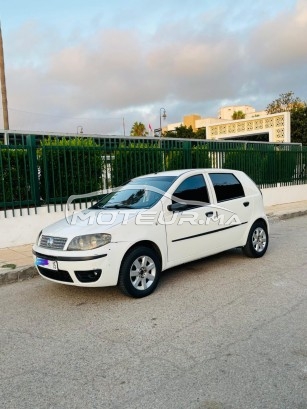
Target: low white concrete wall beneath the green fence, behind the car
23,229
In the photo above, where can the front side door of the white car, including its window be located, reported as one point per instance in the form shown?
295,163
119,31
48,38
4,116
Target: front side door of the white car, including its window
188,234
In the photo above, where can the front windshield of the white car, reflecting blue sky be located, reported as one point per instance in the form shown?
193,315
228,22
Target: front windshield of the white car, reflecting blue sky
138,193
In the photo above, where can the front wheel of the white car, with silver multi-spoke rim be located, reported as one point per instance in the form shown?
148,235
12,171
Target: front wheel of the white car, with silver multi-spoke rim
139,272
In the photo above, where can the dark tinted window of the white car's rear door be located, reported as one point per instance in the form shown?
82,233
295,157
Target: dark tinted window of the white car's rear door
226,186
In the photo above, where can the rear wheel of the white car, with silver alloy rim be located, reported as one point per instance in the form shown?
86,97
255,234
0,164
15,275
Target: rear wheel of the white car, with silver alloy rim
257,241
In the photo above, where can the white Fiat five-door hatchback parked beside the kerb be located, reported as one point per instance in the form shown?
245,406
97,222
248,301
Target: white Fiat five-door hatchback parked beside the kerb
150,224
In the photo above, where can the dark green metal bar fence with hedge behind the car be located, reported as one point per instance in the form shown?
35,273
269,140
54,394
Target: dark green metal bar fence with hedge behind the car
45,170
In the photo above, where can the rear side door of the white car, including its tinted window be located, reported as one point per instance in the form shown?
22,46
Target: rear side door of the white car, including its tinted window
233,208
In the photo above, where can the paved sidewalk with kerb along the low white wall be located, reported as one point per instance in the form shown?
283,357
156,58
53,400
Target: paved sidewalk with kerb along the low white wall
16,263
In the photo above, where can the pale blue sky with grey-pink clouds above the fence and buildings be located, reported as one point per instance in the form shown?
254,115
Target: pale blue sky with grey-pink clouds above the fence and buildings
102,65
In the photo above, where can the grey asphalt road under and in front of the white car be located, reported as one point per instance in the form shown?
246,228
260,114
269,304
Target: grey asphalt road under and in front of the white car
225,332
